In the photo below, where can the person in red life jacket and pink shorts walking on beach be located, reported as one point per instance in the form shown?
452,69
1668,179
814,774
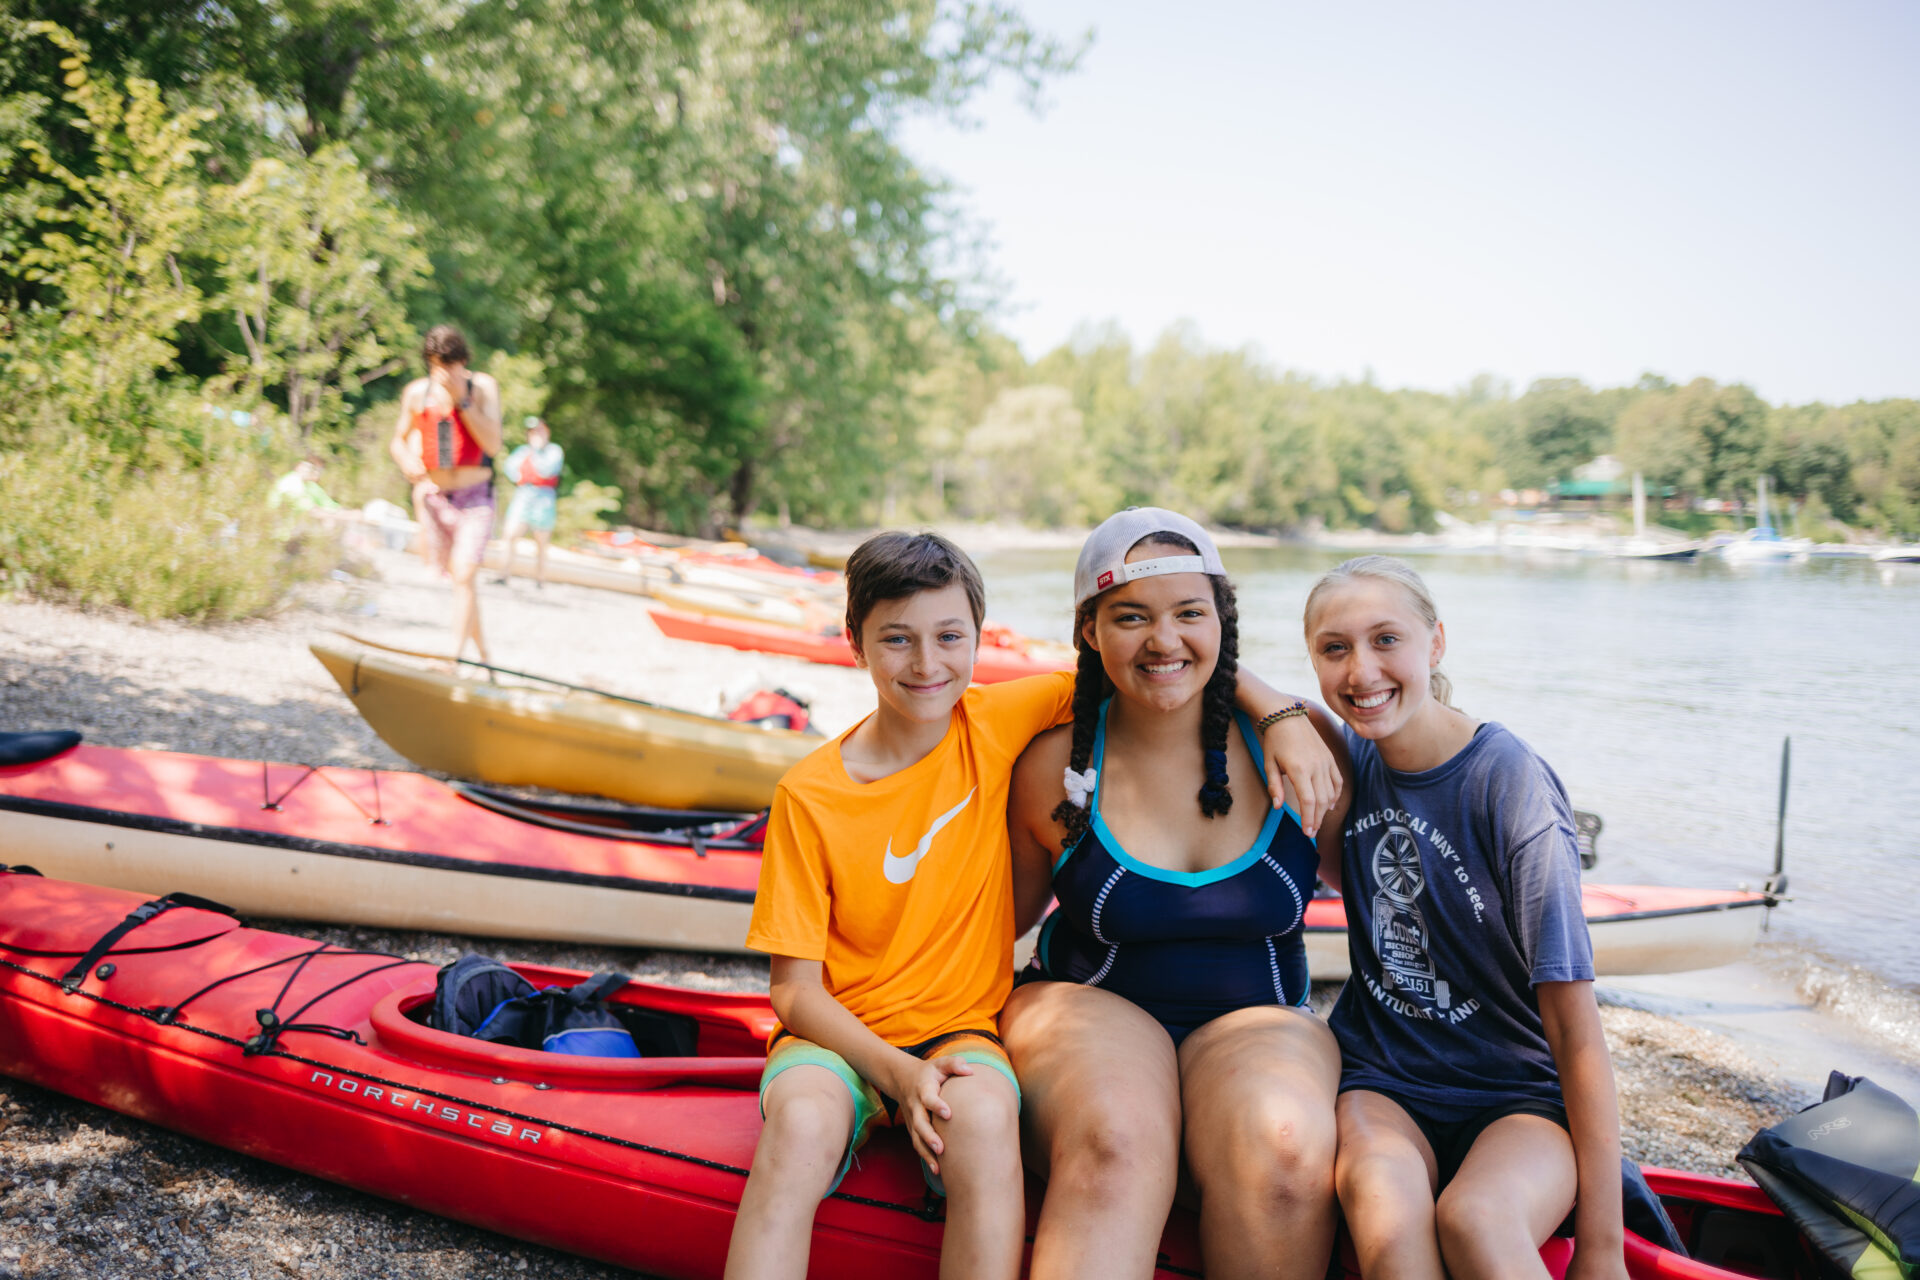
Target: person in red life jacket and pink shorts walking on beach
444,442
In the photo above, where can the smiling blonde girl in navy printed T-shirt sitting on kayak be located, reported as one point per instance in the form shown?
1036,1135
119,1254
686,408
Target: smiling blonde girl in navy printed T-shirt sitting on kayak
1477,1099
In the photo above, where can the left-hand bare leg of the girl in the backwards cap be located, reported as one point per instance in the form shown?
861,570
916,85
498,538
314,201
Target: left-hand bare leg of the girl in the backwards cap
1101,1122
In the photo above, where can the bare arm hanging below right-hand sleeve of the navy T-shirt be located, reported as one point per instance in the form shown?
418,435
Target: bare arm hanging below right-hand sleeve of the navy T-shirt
1579,1043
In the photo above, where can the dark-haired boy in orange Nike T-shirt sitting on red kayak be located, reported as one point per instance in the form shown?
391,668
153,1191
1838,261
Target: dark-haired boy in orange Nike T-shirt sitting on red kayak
886,905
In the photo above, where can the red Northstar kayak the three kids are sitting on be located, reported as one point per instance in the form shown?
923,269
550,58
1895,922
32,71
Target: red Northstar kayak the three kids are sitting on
316,1058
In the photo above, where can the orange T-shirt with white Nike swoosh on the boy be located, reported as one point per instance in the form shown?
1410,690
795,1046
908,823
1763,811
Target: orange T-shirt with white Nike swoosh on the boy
903,888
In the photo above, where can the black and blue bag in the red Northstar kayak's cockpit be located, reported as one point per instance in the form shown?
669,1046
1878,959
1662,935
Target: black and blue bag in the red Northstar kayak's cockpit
485,999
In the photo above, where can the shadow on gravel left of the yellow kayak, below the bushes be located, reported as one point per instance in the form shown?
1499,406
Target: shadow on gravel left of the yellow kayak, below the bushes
114,711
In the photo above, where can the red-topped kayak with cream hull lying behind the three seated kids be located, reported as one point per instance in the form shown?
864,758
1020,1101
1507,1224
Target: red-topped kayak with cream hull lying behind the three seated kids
404,851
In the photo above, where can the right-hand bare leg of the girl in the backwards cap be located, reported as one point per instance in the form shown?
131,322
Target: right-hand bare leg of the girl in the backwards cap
1257,1093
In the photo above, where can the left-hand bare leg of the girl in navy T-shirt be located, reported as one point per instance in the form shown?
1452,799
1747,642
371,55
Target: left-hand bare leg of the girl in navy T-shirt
1387,1179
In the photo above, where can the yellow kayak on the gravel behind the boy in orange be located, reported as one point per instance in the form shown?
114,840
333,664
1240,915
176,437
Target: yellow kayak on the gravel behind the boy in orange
567,740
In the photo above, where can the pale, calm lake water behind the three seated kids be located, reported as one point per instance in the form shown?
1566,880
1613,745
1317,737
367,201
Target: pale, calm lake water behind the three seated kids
1662,694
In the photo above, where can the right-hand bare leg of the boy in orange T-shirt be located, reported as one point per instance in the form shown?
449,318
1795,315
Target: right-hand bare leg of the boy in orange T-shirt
980,1168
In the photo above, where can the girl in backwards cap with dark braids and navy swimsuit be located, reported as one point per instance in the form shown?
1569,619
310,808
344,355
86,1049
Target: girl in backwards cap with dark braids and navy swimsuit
1164,1012
